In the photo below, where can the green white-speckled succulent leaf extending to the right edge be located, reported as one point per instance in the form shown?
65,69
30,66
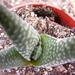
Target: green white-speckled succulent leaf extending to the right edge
56,51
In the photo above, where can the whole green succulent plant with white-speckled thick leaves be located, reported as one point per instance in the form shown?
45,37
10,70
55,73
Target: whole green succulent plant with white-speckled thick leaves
31,48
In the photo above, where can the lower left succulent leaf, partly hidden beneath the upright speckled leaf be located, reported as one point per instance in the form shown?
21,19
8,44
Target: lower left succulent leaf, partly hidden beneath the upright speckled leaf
10,57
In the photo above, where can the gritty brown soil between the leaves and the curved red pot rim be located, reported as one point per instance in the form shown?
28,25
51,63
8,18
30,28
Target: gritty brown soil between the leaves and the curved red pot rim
45,21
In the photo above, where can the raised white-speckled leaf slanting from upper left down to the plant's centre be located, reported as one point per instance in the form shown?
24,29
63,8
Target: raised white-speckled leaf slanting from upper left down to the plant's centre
23,35
